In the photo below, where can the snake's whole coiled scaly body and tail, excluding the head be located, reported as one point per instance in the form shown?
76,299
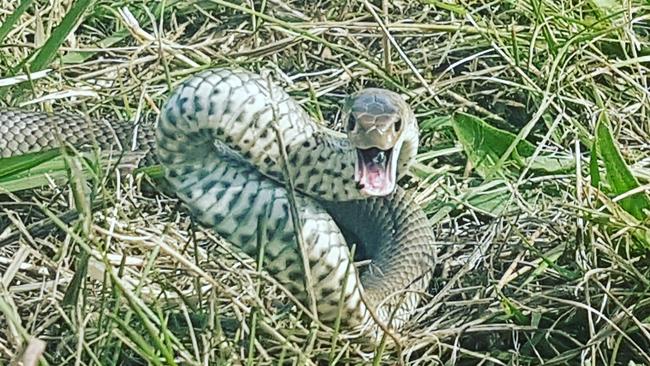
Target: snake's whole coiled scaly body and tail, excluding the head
217,140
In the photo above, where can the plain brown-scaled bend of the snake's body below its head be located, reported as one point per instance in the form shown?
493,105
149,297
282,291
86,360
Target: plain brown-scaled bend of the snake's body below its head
380,226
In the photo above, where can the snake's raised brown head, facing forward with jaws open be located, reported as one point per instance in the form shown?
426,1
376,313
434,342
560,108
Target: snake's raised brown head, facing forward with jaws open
375,122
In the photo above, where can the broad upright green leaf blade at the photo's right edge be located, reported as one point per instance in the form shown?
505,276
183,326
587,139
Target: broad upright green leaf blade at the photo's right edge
619,176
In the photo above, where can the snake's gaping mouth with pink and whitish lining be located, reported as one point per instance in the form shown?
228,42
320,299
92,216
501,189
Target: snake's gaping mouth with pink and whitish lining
375,171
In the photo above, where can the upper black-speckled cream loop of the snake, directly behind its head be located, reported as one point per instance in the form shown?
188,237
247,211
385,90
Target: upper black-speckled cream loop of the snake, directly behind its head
226,115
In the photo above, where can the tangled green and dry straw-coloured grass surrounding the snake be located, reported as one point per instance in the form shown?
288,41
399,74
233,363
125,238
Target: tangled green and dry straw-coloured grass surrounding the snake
533,169
